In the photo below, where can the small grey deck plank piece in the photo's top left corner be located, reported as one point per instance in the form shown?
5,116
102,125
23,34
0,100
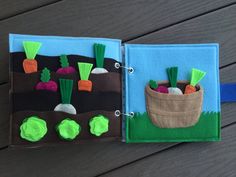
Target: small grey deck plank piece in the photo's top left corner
11,8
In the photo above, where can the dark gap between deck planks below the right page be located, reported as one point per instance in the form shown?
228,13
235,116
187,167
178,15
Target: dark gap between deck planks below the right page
155,153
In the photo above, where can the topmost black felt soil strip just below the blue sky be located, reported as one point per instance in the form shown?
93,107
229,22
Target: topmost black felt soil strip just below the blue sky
53,62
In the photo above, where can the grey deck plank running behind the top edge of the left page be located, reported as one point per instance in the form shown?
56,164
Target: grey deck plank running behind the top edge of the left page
115,19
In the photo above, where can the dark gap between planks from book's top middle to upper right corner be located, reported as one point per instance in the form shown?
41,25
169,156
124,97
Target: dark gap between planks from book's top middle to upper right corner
179,22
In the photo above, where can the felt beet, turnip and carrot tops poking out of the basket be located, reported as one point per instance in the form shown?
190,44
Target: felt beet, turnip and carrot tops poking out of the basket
196,77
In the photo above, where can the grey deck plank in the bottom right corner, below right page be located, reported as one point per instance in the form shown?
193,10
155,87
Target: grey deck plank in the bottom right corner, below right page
188,159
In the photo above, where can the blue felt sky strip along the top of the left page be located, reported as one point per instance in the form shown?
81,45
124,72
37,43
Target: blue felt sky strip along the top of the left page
57,45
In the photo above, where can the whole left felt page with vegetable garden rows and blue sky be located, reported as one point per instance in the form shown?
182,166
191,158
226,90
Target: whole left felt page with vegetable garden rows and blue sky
64,89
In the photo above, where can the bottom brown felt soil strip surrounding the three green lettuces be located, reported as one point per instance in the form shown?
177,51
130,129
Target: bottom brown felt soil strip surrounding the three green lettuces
53,118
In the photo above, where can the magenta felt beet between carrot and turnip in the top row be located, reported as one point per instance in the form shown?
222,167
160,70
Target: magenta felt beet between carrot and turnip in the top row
65,68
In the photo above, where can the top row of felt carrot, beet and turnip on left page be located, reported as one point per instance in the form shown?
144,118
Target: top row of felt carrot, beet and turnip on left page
30,65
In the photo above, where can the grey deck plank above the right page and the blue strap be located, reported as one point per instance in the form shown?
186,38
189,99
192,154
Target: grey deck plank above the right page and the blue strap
216,27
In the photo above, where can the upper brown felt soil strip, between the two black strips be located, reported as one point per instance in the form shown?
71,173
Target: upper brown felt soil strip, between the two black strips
107,82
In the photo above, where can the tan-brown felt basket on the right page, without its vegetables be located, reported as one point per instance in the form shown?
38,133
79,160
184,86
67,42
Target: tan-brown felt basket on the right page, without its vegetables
174,111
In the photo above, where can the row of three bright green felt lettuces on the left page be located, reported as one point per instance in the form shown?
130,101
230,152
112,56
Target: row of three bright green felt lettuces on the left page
34,128
